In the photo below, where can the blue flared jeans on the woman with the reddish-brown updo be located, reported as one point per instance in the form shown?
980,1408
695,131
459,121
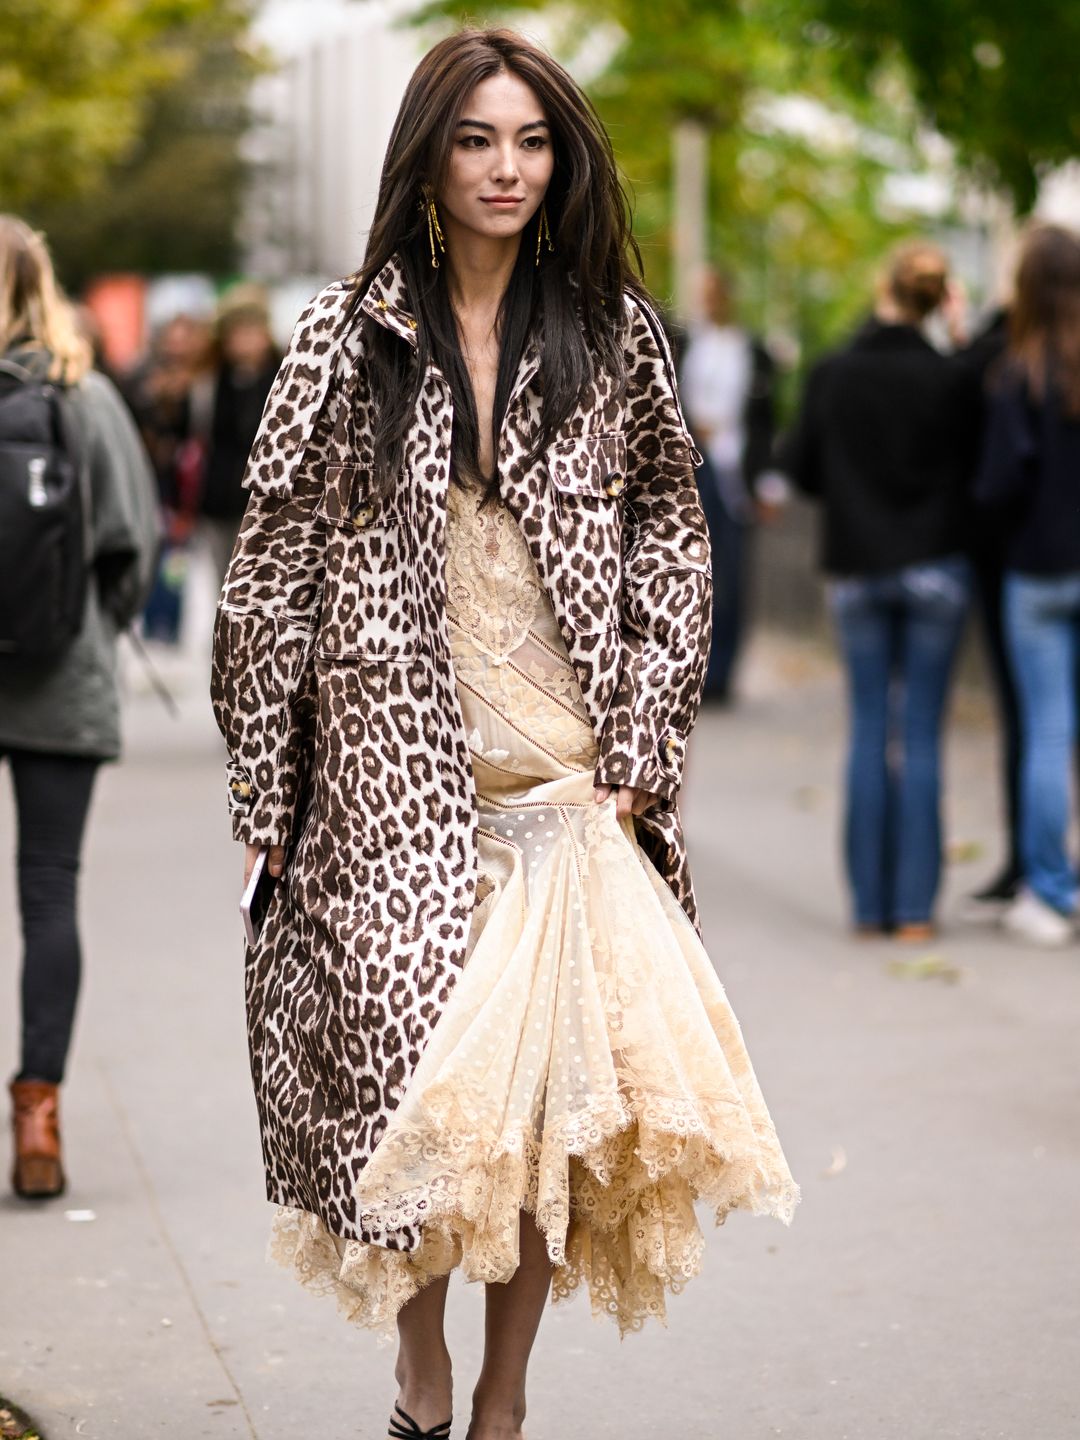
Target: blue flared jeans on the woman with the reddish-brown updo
899,634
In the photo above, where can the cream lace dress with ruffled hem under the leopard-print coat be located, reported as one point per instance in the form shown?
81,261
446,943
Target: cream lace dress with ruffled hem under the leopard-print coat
588,1066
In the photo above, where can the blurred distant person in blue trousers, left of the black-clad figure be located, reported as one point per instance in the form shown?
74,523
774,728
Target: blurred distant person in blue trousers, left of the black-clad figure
171,397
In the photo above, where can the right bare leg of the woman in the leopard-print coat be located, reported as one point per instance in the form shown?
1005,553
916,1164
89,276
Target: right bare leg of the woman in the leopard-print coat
512,1321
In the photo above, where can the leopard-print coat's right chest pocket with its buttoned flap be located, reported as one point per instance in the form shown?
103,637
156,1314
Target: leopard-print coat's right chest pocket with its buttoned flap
590,479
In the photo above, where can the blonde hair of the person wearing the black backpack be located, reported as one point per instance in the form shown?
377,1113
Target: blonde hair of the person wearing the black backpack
32,306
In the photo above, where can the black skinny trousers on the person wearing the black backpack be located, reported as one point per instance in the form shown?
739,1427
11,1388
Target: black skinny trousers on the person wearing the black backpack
53,796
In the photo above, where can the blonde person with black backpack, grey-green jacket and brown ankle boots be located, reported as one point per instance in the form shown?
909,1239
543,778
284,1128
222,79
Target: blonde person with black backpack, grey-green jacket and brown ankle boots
78,539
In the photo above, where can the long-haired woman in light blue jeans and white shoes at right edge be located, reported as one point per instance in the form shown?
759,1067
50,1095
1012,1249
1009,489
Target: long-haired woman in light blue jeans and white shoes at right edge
1030,476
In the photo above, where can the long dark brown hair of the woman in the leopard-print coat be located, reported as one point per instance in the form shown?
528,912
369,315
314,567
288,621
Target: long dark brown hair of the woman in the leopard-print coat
572,300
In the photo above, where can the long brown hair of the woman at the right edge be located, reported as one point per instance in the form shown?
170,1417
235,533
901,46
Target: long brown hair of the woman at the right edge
1045,322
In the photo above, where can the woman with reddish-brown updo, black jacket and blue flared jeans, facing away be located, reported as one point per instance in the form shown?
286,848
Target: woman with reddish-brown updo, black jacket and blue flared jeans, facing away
881,444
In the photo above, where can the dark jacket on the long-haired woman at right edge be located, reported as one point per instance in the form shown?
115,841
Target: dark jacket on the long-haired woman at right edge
1030,479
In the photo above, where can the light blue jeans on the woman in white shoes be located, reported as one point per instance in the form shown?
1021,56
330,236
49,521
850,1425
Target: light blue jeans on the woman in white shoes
1043,636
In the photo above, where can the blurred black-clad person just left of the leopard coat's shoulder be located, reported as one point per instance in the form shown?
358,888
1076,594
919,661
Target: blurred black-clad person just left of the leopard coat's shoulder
247,362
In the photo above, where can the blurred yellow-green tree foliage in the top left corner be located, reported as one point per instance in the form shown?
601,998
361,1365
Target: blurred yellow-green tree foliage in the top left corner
123,126
